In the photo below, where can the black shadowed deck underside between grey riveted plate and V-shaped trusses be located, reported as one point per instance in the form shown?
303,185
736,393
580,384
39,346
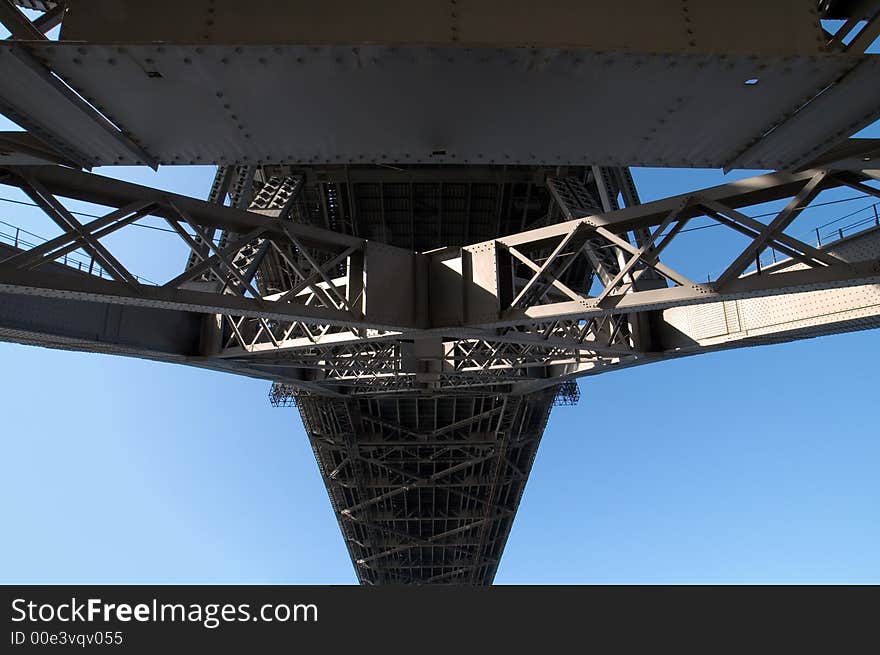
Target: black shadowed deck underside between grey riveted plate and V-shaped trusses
422,208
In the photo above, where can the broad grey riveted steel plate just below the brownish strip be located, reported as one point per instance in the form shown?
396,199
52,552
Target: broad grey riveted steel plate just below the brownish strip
298,104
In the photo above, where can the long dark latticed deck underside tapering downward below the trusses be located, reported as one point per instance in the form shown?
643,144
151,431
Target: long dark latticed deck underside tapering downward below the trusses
426,488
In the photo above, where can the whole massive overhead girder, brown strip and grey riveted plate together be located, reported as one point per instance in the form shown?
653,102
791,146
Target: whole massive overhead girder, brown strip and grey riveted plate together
186,101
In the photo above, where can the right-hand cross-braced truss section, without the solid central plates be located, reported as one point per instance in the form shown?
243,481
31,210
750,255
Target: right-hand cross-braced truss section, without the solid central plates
538,295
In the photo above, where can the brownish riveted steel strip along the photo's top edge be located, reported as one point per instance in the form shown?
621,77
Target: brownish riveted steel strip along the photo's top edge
699,26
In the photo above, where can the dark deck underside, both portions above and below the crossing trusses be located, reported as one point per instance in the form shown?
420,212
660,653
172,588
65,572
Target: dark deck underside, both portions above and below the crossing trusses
425,486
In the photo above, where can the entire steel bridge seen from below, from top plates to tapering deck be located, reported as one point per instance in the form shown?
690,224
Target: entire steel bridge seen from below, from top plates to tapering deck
423,227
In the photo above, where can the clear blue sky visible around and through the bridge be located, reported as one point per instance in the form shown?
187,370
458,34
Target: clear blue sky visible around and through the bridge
749,466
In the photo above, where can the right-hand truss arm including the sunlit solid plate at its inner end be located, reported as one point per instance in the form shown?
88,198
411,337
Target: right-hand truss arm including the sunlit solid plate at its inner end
496,292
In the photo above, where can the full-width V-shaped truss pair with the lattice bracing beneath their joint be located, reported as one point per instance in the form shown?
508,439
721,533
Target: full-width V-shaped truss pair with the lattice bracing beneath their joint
334,313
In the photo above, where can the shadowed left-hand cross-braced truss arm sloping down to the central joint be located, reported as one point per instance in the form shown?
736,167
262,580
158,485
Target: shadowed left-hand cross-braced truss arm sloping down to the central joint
308,257
